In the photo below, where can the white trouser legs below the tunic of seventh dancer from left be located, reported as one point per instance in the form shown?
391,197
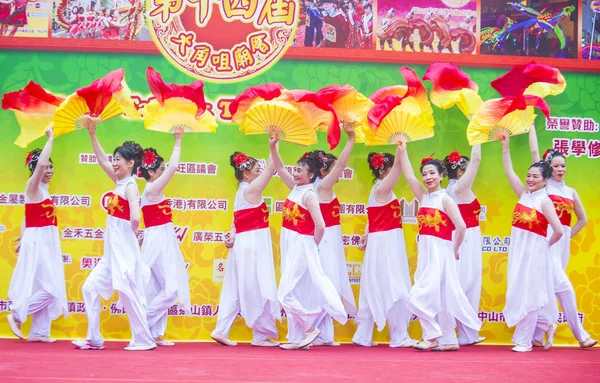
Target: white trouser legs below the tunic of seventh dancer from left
398,319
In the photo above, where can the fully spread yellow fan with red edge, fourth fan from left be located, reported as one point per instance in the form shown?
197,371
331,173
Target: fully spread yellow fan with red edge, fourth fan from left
260,112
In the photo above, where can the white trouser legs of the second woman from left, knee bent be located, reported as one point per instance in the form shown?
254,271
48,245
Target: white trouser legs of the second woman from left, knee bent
101,276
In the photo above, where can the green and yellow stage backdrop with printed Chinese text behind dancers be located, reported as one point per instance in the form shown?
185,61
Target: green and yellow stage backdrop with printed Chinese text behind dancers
203,191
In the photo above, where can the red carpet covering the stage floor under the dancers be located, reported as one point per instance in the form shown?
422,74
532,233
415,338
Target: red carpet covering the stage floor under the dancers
209,362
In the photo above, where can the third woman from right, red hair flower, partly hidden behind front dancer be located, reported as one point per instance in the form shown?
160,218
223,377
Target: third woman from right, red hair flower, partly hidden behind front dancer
461,175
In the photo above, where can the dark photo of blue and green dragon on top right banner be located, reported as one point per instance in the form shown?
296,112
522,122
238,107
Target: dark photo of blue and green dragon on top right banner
529,28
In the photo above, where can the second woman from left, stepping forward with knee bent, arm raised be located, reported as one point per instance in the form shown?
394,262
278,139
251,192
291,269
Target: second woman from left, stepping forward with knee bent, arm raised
121,268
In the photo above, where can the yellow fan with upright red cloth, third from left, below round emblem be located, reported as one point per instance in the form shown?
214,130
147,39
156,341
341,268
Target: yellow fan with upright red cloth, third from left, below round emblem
177,106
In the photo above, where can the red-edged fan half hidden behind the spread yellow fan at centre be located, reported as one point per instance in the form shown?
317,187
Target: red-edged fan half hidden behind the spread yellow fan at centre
318,113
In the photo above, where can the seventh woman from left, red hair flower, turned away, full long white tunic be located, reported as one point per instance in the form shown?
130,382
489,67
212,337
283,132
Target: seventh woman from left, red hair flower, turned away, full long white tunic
385,278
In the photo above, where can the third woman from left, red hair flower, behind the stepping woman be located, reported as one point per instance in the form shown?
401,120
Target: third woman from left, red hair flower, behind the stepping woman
160,249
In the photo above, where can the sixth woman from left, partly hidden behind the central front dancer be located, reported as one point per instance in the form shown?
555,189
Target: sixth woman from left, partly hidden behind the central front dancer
331,248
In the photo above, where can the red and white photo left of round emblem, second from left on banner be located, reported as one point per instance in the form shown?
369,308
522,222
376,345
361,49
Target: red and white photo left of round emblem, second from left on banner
100,19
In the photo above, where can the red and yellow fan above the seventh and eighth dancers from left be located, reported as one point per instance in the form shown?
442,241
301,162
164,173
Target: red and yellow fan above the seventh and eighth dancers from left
400,114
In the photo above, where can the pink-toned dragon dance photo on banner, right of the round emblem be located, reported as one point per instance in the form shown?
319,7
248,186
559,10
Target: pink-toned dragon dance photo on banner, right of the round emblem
438,26
